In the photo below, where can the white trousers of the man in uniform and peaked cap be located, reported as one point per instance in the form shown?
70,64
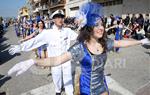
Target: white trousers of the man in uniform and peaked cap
62,74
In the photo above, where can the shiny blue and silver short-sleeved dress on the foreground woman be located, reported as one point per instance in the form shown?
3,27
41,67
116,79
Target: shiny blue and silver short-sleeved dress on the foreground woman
92,79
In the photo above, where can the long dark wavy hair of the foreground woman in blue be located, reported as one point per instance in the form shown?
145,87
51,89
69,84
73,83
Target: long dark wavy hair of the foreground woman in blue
85,35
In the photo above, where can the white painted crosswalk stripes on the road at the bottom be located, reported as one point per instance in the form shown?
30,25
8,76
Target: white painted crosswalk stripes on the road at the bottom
49,88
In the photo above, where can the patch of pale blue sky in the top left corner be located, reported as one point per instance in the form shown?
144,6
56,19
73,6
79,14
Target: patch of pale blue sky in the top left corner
9,8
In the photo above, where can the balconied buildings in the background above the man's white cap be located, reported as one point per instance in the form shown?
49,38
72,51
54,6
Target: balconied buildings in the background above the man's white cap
46,7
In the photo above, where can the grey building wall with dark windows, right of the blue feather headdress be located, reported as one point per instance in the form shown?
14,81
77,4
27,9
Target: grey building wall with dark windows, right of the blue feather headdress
123,7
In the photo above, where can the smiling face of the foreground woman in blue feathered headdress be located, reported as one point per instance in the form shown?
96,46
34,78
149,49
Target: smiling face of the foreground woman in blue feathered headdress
98,30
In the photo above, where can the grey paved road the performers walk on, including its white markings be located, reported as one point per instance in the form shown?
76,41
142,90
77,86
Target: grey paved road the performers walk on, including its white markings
129,69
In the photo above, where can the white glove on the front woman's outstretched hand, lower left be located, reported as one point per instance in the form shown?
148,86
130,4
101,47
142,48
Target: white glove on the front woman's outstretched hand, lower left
21,67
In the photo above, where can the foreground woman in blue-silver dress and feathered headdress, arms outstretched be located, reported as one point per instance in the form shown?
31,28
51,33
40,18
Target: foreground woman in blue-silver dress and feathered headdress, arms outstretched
90,50
